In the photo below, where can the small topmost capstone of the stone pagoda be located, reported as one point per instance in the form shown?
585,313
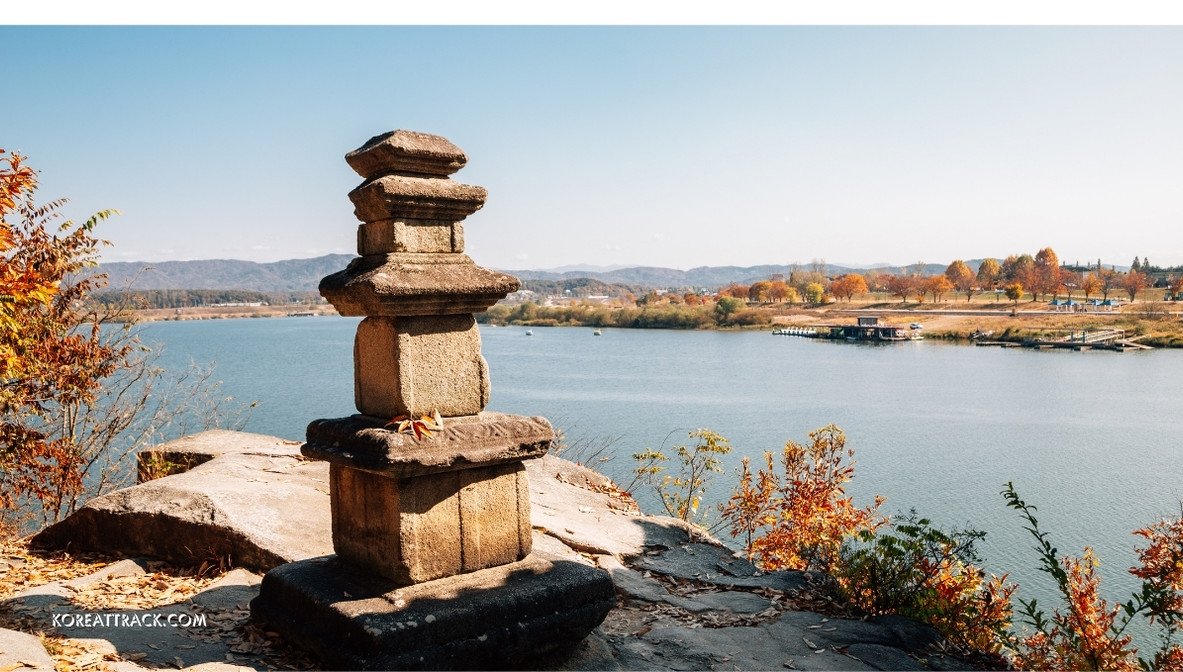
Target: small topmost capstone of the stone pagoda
406,153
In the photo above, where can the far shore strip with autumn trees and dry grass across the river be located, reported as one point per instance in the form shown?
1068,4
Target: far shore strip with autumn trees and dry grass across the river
1022,298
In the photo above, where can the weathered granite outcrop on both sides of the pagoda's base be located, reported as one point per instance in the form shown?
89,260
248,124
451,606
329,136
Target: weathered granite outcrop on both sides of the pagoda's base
683,603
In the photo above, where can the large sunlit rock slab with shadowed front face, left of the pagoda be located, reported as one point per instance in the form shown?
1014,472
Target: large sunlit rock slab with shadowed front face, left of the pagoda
257,502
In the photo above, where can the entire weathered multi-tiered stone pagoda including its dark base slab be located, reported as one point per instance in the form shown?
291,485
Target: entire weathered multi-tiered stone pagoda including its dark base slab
434,566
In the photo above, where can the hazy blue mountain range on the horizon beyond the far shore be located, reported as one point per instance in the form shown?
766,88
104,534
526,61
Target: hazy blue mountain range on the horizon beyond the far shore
305,275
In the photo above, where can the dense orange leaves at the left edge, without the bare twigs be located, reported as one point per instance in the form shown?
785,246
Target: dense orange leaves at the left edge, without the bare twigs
53,352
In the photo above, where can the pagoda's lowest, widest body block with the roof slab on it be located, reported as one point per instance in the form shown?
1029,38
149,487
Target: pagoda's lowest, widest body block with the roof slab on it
461,495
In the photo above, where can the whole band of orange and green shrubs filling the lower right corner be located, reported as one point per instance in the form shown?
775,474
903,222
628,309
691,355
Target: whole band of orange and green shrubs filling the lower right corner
794,514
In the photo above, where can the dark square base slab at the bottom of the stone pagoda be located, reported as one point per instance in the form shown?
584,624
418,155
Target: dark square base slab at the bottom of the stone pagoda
515,616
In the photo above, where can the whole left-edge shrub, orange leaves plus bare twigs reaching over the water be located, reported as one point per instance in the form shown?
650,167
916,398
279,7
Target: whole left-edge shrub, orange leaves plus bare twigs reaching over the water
77,393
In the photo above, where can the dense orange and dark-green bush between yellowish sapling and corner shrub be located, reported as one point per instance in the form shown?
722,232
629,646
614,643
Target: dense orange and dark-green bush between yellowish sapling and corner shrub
797,515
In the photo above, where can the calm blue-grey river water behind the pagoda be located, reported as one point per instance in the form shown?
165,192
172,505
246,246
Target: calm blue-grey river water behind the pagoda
1094,440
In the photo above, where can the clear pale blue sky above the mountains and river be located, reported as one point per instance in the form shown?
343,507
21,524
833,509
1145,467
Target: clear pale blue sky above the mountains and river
638,146
